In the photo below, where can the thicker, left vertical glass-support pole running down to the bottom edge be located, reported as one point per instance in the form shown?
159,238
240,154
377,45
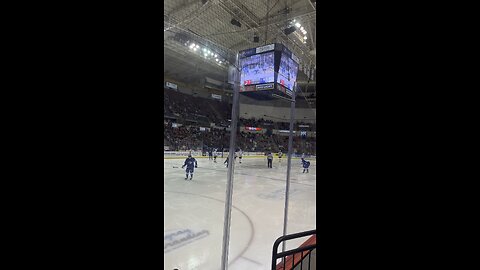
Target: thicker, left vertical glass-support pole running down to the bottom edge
231,164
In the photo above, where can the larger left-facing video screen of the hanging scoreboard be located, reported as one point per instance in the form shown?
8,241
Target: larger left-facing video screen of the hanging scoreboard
257,69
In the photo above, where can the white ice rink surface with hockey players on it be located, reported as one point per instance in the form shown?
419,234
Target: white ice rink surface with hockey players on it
194,212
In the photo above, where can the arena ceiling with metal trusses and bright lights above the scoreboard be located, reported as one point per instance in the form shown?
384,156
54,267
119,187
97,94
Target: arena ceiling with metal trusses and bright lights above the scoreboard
207,24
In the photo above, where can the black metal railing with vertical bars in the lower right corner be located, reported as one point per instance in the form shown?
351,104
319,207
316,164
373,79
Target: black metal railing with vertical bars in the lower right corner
305,251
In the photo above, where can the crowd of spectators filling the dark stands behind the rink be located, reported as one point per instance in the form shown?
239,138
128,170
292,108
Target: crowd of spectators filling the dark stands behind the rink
201,112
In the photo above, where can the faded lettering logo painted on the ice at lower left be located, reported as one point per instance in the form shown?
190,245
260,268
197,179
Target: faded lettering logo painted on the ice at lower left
175,239
